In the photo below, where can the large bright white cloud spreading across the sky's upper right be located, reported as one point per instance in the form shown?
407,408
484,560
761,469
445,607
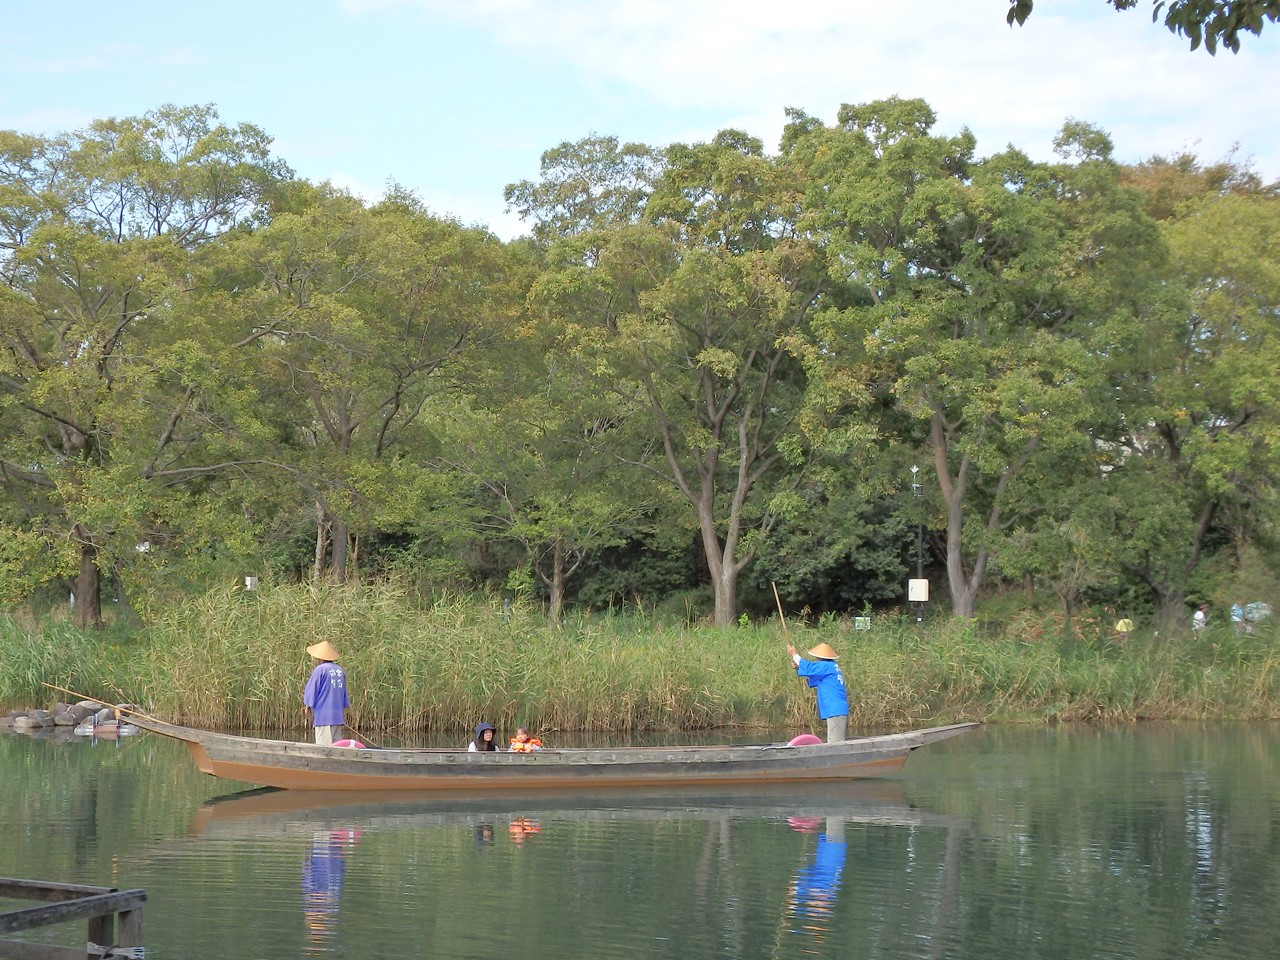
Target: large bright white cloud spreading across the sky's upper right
749,61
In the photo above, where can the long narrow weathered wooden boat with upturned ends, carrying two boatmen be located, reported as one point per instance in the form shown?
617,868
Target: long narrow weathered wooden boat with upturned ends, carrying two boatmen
278,764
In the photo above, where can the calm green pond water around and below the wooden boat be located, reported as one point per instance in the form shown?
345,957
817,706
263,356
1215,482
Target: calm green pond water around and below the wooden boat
1136,843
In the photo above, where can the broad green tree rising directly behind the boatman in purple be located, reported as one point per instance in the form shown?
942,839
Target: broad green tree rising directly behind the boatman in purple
360,318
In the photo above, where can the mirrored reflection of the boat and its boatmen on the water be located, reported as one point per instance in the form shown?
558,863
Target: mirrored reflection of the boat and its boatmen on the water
816,816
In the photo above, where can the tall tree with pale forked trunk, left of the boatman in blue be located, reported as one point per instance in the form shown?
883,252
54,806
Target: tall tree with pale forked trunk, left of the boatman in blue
684,318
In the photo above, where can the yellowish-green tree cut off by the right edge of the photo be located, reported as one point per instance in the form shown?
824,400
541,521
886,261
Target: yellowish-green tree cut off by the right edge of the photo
1195,394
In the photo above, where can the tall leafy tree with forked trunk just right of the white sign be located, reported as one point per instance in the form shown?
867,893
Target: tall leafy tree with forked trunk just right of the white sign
979,286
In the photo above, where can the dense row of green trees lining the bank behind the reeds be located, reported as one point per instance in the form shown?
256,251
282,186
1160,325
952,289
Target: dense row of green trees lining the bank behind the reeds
706,373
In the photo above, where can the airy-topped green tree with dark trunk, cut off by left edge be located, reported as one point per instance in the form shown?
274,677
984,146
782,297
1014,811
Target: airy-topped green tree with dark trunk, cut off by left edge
111,382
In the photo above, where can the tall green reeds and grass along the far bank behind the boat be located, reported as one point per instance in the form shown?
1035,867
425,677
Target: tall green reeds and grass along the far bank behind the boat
235,660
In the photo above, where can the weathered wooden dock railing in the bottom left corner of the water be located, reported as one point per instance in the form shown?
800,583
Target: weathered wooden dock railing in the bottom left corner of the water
115,920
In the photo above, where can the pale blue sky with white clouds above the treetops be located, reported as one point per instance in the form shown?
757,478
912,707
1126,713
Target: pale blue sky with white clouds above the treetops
456,99
